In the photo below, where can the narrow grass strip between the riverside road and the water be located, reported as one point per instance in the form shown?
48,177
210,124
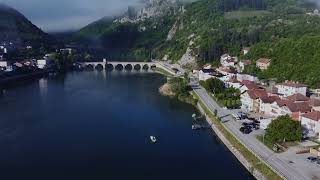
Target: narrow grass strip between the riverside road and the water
251,158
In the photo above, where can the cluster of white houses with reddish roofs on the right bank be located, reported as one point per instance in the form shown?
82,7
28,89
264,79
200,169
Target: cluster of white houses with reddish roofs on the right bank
267,101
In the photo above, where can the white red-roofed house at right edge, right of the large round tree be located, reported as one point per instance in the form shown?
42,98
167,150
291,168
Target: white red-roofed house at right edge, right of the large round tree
311,123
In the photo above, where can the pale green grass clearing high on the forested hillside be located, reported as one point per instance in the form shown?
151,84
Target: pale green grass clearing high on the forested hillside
244,14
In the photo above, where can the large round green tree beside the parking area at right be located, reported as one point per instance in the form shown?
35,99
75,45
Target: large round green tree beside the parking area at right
283,129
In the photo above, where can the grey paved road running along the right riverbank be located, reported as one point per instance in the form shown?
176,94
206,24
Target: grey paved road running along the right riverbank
272,159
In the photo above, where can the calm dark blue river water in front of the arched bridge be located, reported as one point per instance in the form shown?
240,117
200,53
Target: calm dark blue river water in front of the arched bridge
96,125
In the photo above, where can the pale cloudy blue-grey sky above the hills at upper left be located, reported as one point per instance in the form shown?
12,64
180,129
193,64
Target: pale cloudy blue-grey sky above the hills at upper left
65,15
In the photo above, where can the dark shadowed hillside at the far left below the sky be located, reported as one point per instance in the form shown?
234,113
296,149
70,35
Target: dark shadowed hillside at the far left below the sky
15,27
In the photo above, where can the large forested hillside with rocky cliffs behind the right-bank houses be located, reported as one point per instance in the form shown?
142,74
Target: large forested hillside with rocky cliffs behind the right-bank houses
206,29
